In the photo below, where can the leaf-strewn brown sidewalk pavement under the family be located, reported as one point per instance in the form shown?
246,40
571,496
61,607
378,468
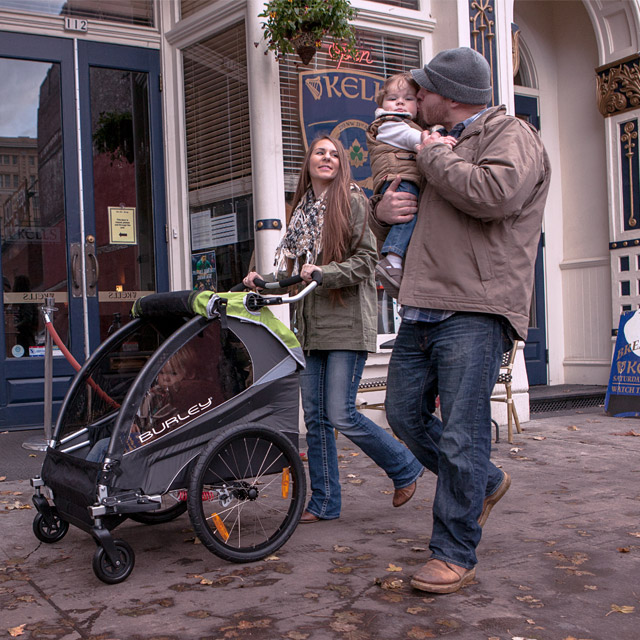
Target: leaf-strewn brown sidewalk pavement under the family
559,558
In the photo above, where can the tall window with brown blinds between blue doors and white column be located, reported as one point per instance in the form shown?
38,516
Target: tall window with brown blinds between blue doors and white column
219,154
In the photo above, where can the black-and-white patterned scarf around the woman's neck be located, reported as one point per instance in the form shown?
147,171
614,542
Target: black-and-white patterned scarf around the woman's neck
303,238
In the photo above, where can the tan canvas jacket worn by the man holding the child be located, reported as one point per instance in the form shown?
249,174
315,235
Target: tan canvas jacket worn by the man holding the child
479,220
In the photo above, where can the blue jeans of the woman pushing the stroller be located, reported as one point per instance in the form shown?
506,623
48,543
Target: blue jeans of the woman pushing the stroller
329,385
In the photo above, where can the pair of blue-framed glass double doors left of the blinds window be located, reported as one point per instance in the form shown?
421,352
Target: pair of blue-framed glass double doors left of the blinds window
93,254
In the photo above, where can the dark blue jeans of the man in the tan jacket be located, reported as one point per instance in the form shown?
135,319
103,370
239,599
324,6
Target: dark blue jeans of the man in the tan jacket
457,359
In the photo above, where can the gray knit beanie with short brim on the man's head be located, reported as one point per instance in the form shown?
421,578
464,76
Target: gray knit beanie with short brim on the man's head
459,74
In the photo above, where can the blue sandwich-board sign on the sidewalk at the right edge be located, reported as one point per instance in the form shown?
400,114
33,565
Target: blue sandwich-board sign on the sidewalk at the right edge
623,393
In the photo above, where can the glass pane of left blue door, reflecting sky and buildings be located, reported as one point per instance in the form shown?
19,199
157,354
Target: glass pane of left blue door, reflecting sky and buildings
32,223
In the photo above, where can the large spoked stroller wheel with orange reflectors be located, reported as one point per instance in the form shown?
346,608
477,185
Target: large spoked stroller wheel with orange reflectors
246,492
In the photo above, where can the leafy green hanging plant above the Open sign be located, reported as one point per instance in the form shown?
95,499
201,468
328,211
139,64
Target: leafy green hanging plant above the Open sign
299,26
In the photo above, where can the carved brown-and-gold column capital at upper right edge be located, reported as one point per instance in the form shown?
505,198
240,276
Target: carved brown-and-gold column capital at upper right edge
618,88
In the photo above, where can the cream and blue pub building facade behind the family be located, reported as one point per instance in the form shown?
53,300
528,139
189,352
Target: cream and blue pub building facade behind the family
154,144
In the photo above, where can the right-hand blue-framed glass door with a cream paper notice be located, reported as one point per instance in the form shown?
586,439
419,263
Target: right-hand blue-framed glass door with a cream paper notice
125,242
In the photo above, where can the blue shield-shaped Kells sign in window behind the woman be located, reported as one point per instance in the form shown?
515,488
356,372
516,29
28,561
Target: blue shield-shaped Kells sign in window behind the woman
341,104
